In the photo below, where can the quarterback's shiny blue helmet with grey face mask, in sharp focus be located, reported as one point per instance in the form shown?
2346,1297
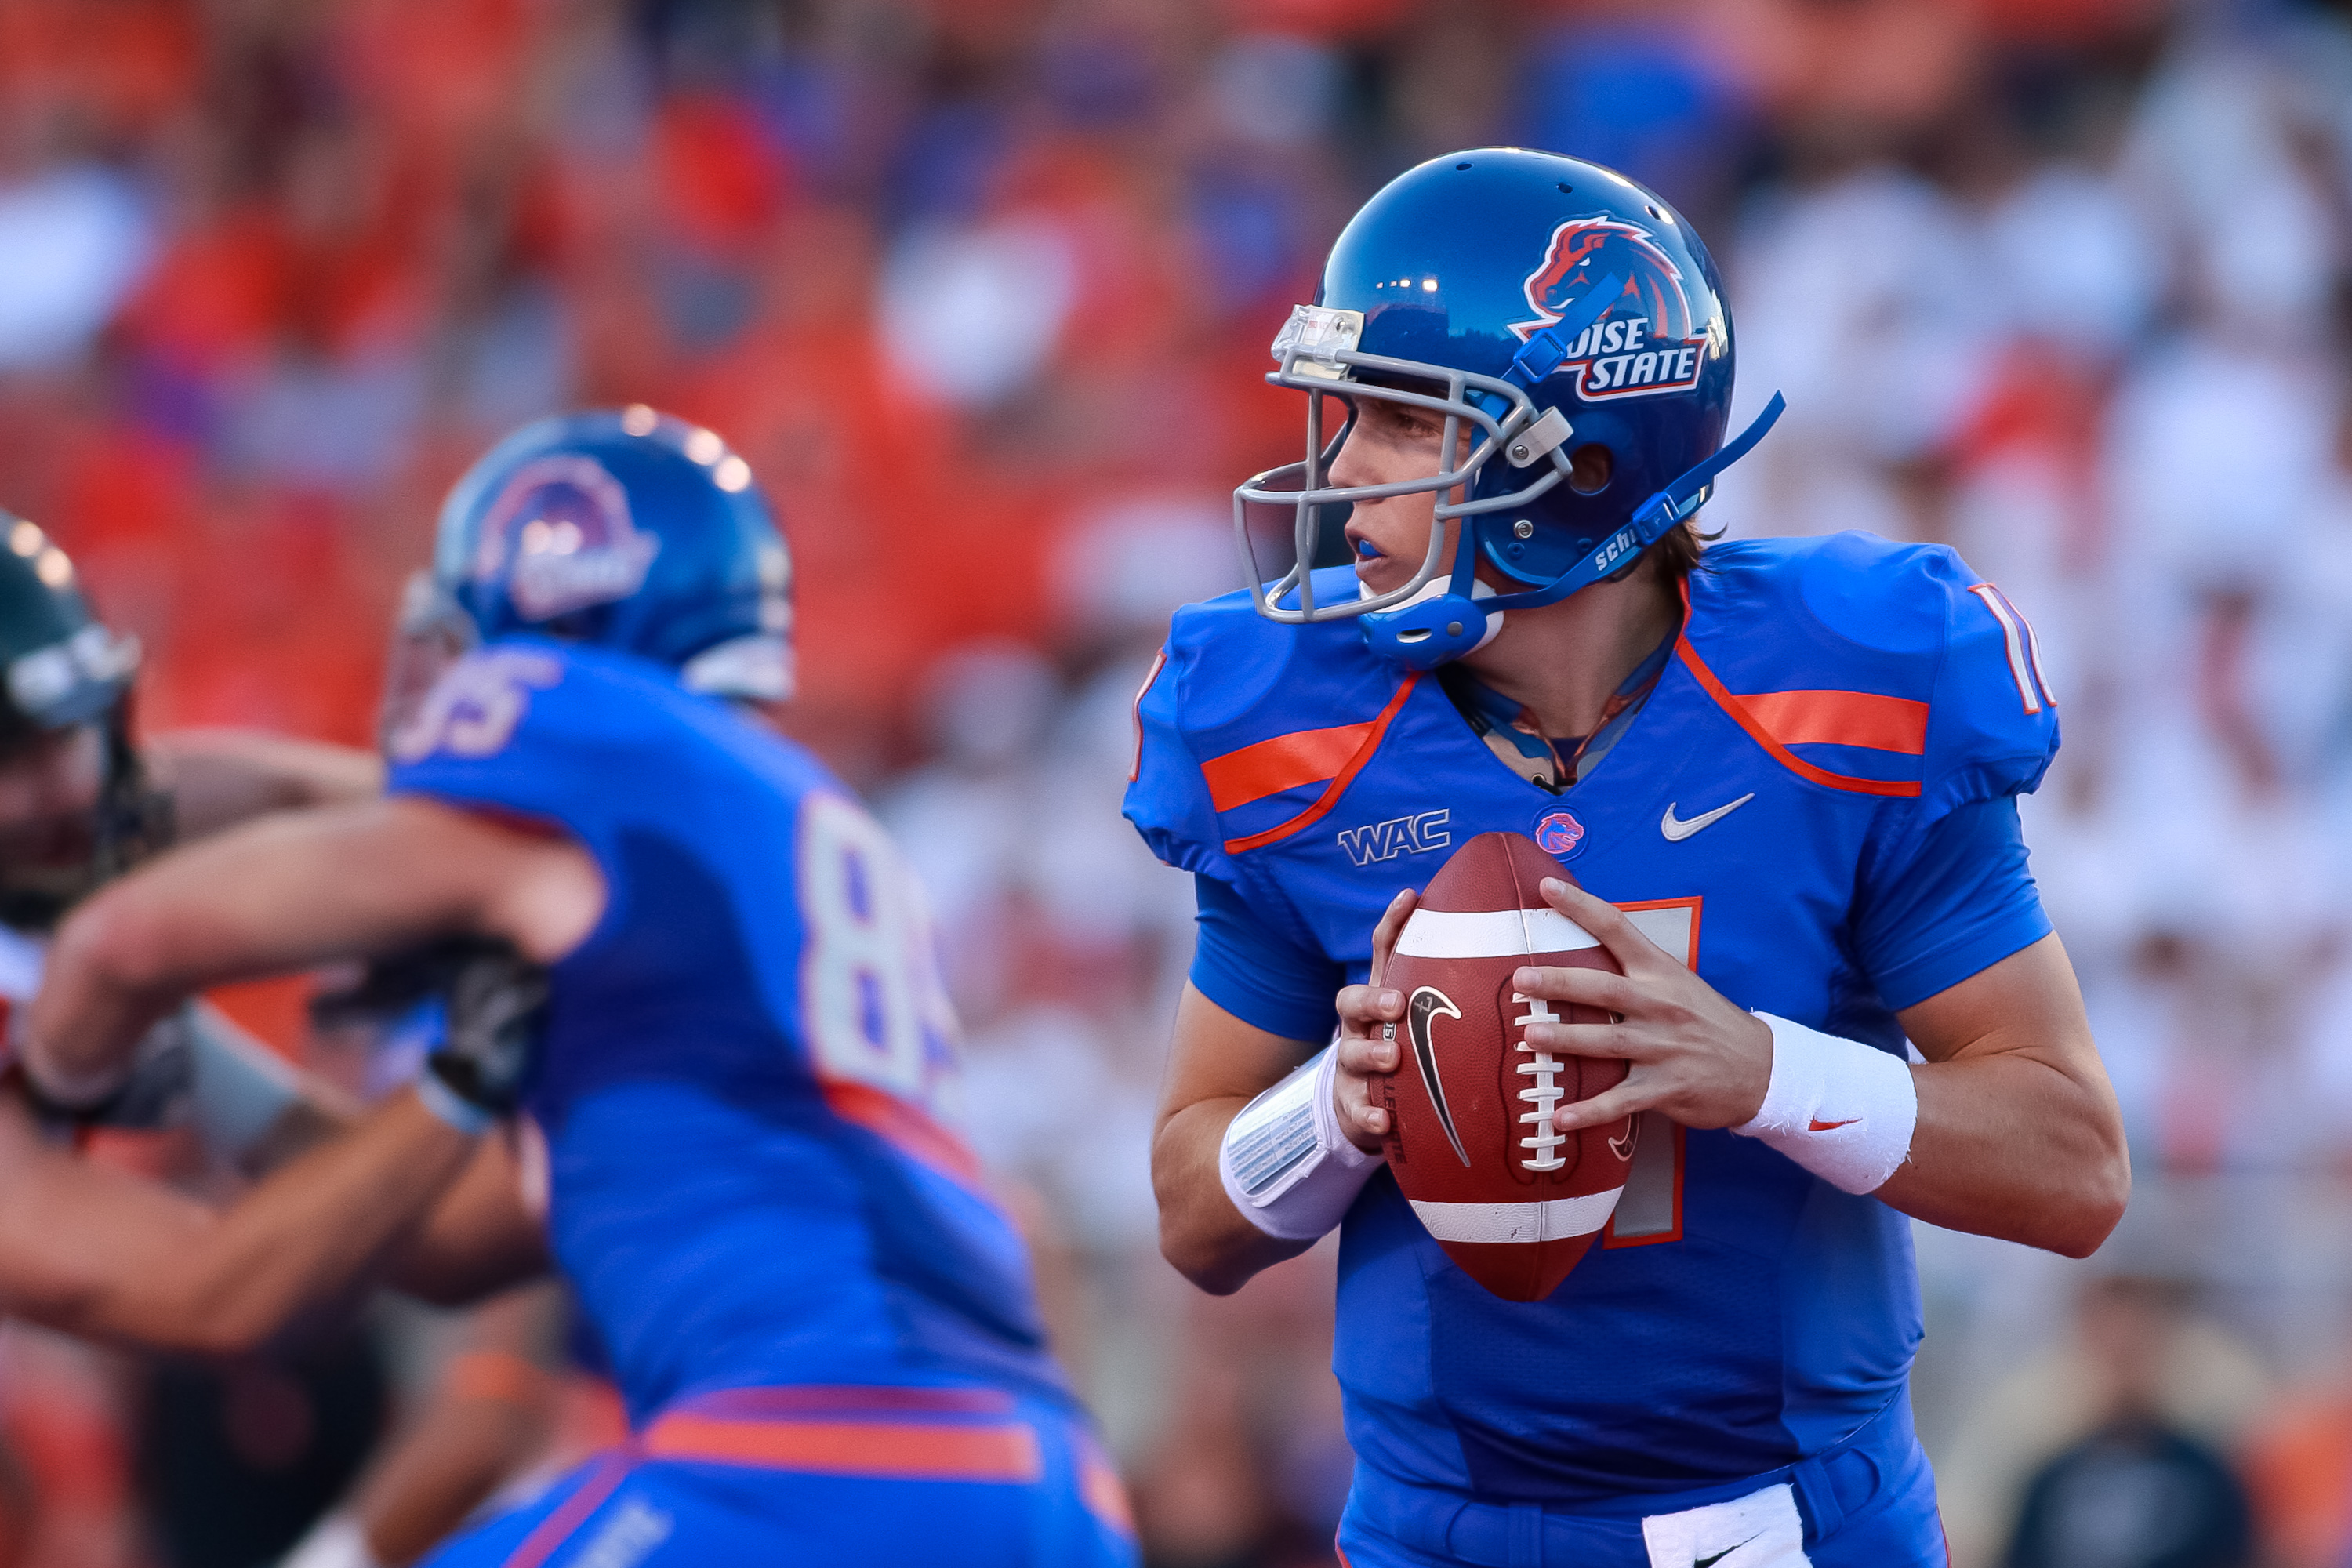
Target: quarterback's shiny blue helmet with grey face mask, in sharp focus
1539,304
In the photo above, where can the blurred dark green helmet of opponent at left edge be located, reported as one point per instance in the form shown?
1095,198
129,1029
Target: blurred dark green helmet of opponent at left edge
65,671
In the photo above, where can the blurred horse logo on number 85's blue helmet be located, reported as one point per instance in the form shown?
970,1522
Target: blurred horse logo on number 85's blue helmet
563,537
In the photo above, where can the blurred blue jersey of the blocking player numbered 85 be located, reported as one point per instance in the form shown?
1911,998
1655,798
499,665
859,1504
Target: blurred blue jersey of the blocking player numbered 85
749,1071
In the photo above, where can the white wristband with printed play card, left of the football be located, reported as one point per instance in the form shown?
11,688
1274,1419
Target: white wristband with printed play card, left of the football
1285,1162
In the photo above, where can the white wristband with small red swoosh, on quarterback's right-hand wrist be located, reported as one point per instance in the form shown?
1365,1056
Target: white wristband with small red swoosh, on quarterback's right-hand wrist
1836,1106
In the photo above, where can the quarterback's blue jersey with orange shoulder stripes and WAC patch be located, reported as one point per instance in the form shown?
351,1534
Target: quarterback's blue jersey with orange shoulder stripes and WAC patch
1826,709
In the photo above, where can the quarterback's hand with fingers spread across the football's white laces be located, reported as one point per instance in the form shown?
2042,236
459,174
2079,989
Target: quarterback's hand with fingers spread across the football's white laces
1692,1054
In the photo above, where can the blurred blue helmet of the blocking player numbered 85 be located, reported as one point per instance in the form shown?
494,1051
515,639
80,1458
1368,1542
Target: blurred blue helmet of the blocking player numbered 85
629,530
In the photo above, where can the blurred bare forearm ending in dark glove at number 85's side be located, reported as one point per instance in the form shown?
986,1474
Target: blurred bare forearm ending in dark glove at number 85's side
298,1242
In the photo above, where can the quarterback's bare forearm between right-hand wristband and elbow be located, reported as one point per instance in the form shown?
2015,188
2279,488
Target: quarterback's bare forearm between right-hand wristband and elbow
2012,1146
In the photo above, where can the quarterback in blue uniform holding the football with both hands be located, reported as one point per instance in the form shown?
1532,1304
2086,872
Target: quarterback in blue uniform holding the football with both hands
1789,763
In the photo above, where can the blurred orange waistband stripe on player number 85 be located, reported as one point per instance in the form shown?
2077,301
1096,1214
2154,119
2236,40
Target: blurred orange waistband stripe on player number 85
904,1452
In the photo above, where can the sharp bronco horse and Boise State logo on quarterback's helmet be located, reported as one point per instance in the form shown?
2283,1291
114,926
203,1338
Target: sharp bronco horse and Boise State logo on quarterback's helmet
1645,342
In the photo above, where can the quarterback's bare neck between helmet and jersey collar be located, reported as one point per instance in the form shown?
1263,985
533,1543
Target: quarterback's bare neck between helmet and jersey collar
1565,662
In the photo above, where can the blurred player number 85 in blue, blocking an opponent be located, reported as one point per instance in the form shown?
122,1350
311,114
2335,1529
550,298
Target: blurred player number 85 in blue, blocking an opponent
820,1322
